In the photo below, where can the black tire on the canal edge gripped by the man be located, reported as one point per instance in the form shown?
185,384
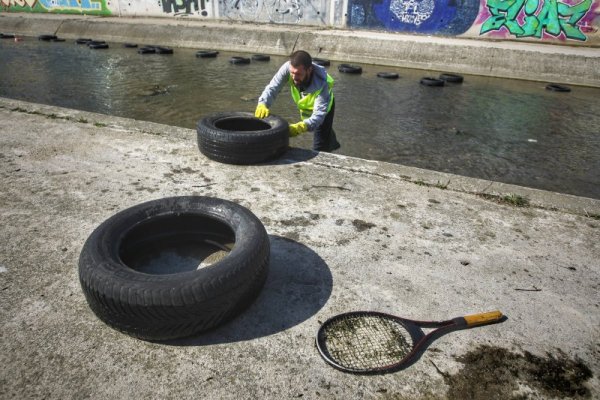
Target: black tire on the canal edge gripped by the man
240,138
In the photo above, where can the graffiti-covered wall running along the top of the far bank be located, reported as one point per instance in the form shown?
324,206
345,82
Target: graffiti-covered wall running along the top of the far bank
572,22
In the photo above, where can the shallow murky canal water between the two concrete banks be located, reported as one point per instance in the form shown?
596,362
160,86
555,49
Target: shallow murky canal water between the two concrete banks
497,129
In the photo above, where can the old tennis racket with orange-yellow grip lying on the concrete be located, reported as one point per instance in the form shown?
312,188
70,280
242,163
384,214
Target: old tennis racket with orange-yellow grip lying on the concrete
373,342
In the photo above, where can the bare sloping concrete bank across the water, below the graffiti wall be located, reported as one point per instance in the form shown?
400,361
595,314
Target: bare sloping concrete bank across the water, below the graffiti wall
515,60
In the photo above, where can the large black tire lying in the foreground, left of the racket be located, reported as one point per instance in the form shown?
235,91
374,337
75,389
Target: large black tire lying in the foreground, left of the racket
173,305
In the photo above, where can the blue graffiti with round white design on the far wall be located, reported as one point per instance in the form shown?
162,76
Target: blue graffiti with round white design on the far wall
451,17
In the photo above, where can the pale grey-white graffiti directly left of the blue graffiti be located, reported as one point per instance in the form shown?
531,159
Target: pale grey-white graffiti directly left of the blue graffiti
275,11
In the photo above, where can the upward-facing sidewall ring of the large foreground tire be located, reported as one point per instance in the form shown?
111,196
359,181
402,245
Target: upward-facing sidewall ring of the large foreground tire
100,254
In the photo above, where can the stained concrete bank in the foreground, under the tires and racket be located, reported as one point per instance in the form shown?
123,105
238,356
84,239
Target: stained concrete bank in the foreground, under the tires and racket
346,234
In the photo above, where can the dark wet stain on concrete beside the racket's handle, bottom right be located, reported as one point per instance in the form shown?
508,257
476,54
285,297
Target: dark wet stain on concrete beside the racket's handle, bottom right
495,373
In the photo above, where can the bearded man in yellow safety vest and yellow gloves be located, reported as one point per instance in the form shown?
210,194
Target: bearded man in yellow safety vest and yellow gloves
312,91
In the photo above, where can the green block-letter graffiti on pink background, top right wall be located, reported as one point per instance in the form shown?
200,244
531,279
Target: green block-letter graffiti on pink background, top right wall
534,18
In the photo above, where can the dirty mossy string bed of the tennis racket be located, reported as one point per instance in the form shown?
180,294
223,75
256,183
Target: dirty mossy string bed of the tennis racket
366,342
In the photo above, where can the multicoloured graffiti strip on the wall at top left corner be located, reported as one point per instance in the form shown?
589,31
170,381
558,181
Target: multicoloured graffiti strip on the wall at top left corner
60,6
